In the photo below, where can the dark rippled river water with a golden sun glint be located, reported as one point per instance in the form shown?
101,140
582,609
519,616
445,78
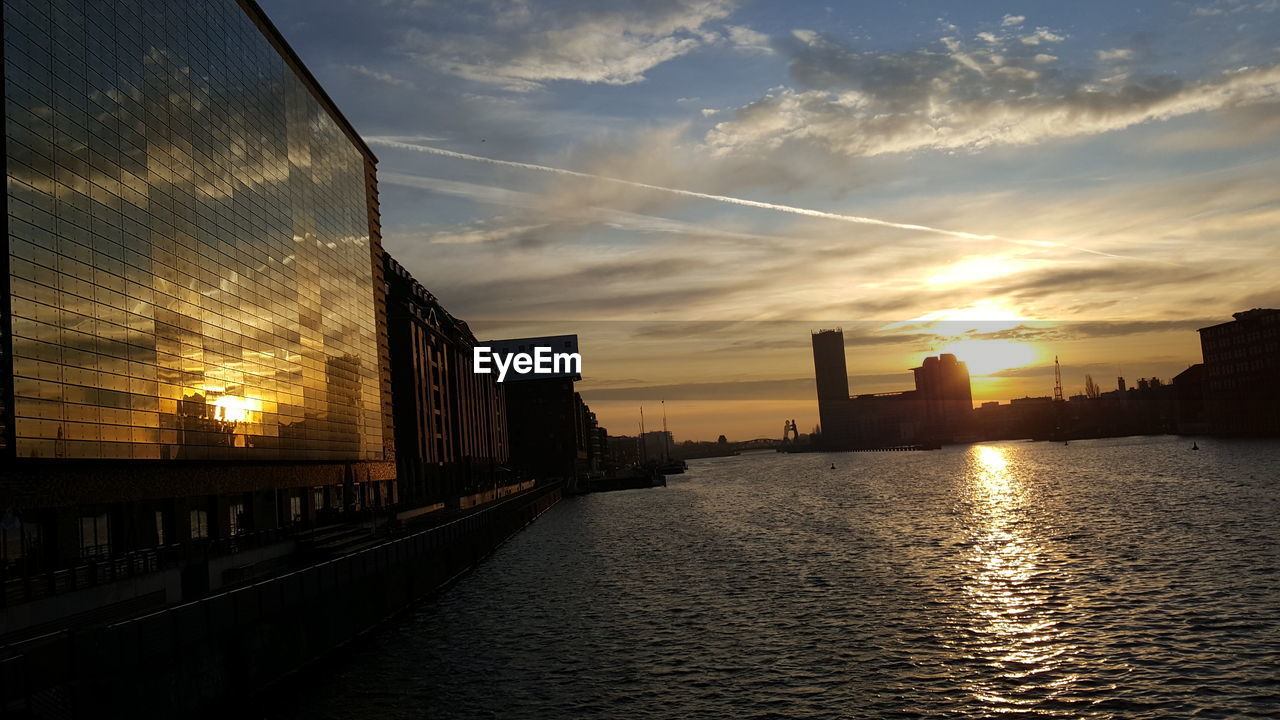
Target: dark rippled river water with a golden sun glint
1124,578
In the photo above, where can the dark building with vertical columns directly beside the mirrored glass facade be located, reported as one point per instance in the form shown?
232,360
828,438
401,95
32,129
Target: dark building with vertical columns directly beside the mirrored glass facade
451,423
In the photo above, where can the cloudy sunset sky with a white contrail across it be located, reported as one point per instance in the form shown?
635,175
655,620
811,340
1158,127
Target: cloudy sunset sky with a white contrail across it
694,186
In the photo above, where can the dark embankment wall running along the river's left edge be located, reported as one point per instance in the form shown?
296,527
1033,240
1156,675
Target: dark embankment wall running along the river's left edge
209,655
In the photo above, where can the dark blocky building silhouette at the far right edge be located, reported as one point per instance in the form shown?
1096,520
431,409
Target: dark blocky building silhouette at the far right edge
1242,375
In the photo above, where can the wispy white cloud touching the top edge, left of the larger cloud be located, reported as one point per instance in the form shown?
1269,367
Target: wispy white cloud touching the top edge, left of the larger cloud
522,48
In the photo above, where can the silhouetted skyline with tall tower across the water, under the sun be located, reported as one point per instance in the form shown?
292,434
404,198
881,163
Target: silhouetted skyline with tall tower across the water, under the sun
1236,391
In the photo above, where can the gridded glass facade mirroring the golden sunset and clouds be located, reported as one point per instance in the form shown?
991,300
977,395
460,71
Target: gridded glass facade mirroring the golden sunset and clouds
191,252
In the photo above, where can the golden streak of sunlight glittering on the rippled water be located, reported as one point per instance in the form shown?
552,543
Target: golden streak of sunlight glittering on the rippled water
1013,626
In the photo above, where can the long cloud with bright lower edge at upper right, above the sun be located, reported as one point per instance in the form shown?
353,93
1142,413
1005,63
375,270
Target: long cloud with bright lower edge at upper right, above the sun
952,98
